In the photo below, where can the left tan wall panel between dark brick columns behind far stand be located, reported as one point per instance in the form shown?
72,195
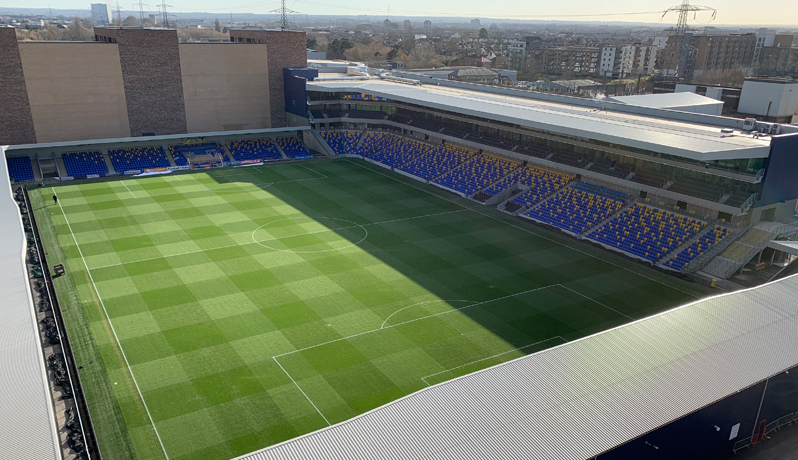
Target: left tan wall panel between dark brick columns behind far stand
75,90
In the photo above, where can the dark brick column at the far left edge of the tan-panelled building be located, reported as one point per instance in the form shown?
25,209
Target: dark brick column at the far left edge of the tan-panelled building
16,123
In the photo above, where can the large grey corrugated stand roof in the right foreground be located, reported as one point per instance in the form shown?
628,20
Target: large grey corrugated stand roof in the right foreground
579,399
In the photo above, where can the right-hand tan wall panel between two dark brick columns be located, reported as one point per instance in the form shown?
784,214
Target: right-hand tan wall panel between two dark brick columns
225,86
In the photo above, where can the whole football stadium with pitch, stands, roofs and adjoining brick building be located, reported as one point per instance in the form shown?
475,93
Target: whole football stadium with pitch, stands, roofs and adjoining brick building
241,254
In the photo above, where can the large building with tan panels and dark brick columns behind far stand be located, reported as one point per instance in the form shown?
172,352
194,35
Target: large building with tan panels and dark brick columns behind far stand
142,81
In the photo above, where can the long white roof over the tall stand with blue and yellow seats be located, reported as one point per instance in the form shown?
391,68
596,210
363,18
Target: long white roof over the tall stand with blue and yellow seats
703,142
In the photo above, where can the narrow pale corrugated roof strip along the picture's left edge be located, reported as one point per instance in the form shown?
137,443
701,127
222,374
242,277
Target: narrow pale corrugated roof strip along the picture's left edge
27,425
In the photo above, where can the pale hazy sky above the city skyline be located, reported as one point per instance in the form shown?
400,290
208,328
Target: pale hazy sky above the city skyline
742,12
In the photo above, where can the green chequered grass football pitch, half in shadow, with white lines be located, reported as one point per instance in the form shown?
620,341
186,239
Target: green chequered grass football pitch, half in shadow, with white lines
219,312
